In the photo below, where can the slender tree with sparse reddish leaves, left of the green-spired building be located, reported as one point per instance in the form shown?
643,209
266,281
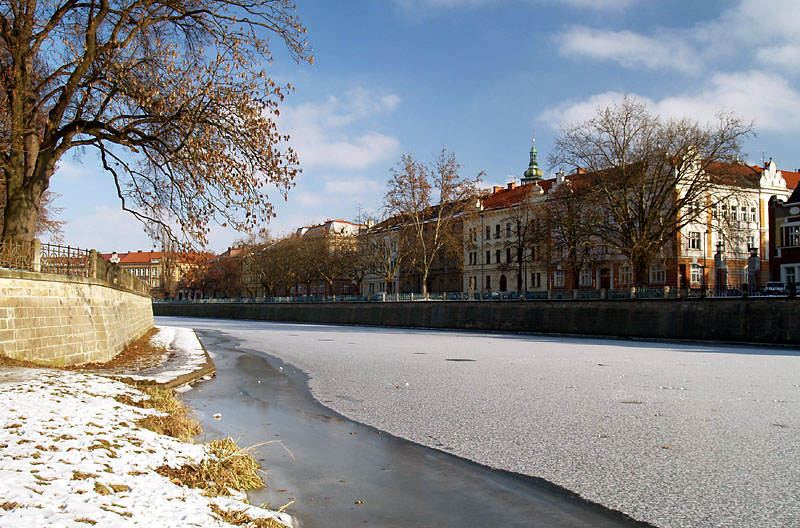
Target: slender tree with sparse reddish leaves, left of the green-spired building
429,202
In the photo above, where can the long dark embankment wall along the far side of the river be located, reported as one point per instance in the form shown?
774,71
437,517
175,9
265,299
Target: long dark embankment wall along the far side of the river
750,320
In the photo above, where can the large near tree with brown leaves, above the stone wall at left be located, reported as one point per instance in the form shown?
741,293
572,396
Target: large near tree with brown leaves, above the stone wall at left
170,93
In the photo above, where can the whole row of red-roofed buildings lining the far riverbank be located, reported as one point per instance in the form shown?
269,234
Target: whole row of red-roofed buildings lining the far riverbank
734,239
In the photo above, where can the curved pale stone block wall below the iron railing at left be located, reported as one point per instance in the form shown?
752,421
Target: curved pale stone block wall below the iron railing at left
60,320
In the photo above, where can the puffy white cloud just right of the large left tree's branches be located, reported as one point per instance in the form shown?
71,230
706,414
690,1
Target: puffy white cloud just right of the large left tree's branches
323,133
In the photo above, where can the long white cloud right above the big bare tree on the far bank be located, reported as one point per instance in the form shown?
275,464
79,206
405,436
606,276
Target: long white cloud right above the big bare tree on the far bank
765,98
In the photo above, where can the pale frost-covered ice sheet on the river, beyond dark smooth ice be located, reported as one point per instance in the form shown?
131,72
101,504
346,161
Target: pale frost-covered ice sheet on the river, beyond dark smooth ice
674,435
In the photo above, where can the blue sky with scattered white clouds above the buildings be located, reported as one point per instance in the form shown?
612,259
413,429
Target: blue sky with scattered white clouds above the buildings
480,77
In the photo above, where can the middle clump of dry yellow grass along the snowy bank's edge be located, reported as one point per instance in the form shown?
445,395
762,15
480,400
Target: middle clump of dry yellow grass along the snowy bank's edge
228,467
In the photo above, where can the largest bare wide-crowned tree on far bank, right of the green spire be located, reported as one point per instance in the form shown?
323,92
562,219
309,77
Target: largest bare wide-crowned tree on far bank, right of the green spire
649,173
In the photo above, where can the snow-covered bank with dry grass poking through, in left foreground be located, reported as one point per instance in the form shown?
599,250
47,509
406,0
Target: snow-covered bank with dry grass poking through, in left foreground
73,456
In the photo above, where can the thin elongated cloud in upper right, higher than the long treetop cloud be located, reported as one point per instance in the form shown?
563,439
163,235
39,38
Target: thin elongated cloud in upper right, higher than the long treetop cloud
629,49
